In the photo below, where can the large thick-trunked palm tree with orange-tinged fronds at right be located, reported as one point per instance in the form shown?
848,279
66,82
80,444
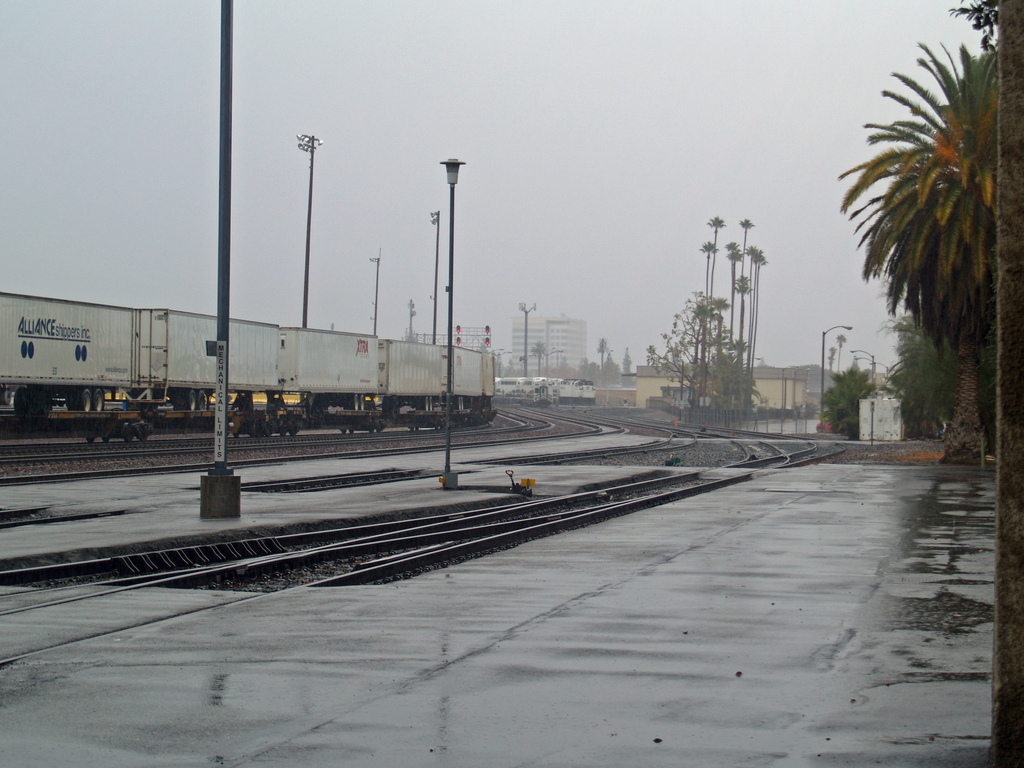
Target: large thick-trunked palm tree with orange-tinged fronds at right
931,233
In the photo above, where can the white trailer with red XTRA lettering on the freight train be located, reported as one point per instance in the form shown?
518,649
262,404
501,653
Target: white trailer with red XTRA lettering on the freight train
313,361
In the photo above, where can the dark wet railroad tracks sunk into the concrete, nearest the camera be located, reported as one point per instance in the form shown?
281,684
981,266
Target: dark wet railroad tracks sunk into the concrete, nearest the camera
371,552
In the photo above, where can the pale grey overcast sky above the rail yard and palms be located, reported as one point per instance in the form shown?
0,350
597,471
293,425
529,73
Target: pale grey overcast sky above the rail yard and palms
600,140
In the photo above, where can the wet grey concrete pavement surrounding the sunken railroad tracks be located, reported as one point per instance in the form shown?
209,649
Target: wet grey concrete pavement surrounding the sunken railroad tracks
837,615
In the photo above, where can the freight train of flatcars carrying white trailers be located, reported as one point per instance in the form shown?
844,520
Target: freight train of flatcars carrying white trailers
98,360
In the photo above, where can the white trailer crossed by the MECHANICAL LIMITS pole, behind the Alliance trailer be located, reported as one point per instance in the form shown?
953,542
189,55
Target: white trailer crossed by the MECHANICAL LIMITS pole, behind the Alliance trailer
170,352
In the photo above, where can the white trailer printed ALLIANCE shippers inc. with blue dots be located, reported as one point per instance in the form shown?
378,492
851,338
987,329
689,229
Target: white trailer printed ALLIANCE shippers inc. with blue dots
52,342
